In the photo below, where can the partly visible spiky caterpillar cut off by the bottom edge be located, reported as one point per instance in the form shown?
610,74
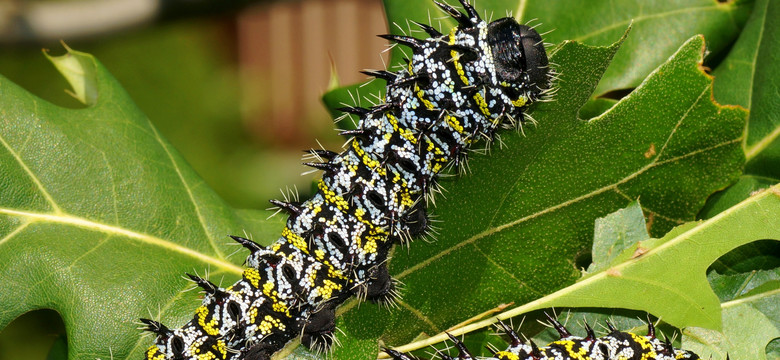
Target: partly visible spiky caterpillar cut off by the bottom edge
617,345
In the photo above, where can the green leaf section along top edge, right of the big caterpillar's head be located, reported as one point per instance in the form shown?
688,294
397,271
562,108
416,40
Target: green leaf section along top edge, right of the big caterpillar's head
659,27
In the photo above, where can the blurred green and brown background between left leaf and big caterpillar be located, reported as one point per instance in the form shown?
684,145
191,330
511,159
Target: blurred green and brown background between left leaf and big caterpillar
235,86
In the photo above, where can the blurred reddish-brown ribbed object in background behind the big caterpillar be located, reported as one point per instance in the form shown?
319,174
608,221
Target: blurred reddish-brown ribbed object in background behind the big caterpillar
285,54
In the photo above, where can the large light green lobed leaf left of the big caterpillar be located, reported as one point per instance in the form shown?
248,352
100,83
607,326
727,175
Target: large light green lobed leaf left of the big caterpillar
100,217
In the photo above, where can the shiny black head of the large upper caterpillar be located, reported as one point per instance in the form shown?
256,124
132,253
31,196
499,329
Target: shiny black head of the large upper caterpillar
520,59
